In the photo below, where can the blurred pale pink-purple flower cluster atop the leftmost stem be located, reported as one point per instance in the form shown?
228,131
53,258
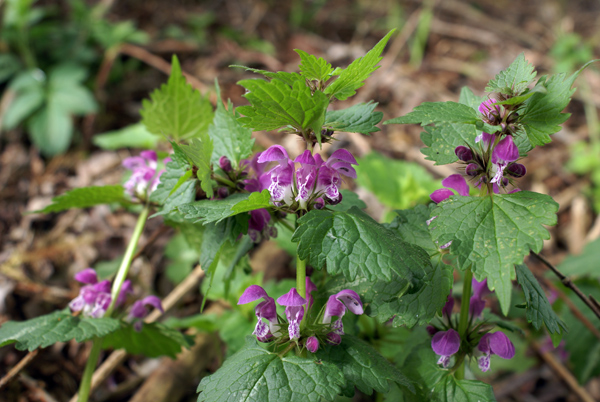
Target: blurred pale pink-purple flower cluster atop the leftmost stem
144,175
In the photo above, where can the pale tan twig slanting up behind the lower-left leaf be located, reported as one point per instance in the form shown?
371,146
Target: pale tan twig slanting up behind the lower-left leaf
118,356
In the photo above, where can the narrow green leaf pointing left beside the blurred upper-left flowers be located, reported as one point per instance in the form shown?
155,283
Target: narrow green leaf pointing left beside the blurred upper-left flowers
86,197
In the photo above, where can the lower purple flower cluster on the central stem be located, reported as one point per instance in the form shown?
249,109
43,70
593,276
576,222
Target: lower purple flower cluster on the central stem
275,328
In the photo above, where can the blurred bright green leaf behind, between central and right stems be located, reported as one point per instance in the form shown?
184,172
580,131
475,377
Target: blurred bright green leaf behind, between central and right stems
397,184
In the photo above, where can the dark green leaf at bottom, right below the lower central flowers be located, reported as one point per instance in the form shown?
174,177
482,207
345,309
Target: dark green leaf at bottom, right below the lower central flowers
363,367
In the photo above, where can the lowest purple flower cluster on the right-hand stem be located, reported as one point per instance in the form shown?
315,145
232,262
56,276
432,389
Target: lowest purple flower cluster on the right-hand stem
477,341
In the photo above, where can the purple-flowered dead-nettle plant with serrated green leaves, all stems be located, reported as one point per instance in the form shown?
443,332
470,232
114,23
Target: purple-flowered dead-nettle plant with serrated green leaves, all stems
225,196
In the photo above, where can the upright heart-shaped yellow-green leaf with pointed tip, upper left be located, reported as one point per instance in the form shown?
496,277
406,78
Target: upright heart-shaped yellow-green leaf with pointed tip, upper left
177,109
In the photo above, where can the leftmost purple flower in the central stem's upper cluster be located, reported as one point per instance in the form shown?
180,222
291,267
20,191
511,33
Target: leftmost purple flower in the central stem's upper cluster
281,176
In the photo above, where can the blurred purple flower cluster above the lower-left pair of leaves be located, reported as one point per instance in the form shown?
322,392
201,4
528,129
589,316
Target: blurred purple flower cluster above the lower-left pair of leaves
95,297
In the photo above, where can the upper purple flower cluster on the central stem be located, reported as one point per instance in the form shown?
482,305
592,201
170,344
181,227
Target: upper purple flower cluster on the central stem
313,184
